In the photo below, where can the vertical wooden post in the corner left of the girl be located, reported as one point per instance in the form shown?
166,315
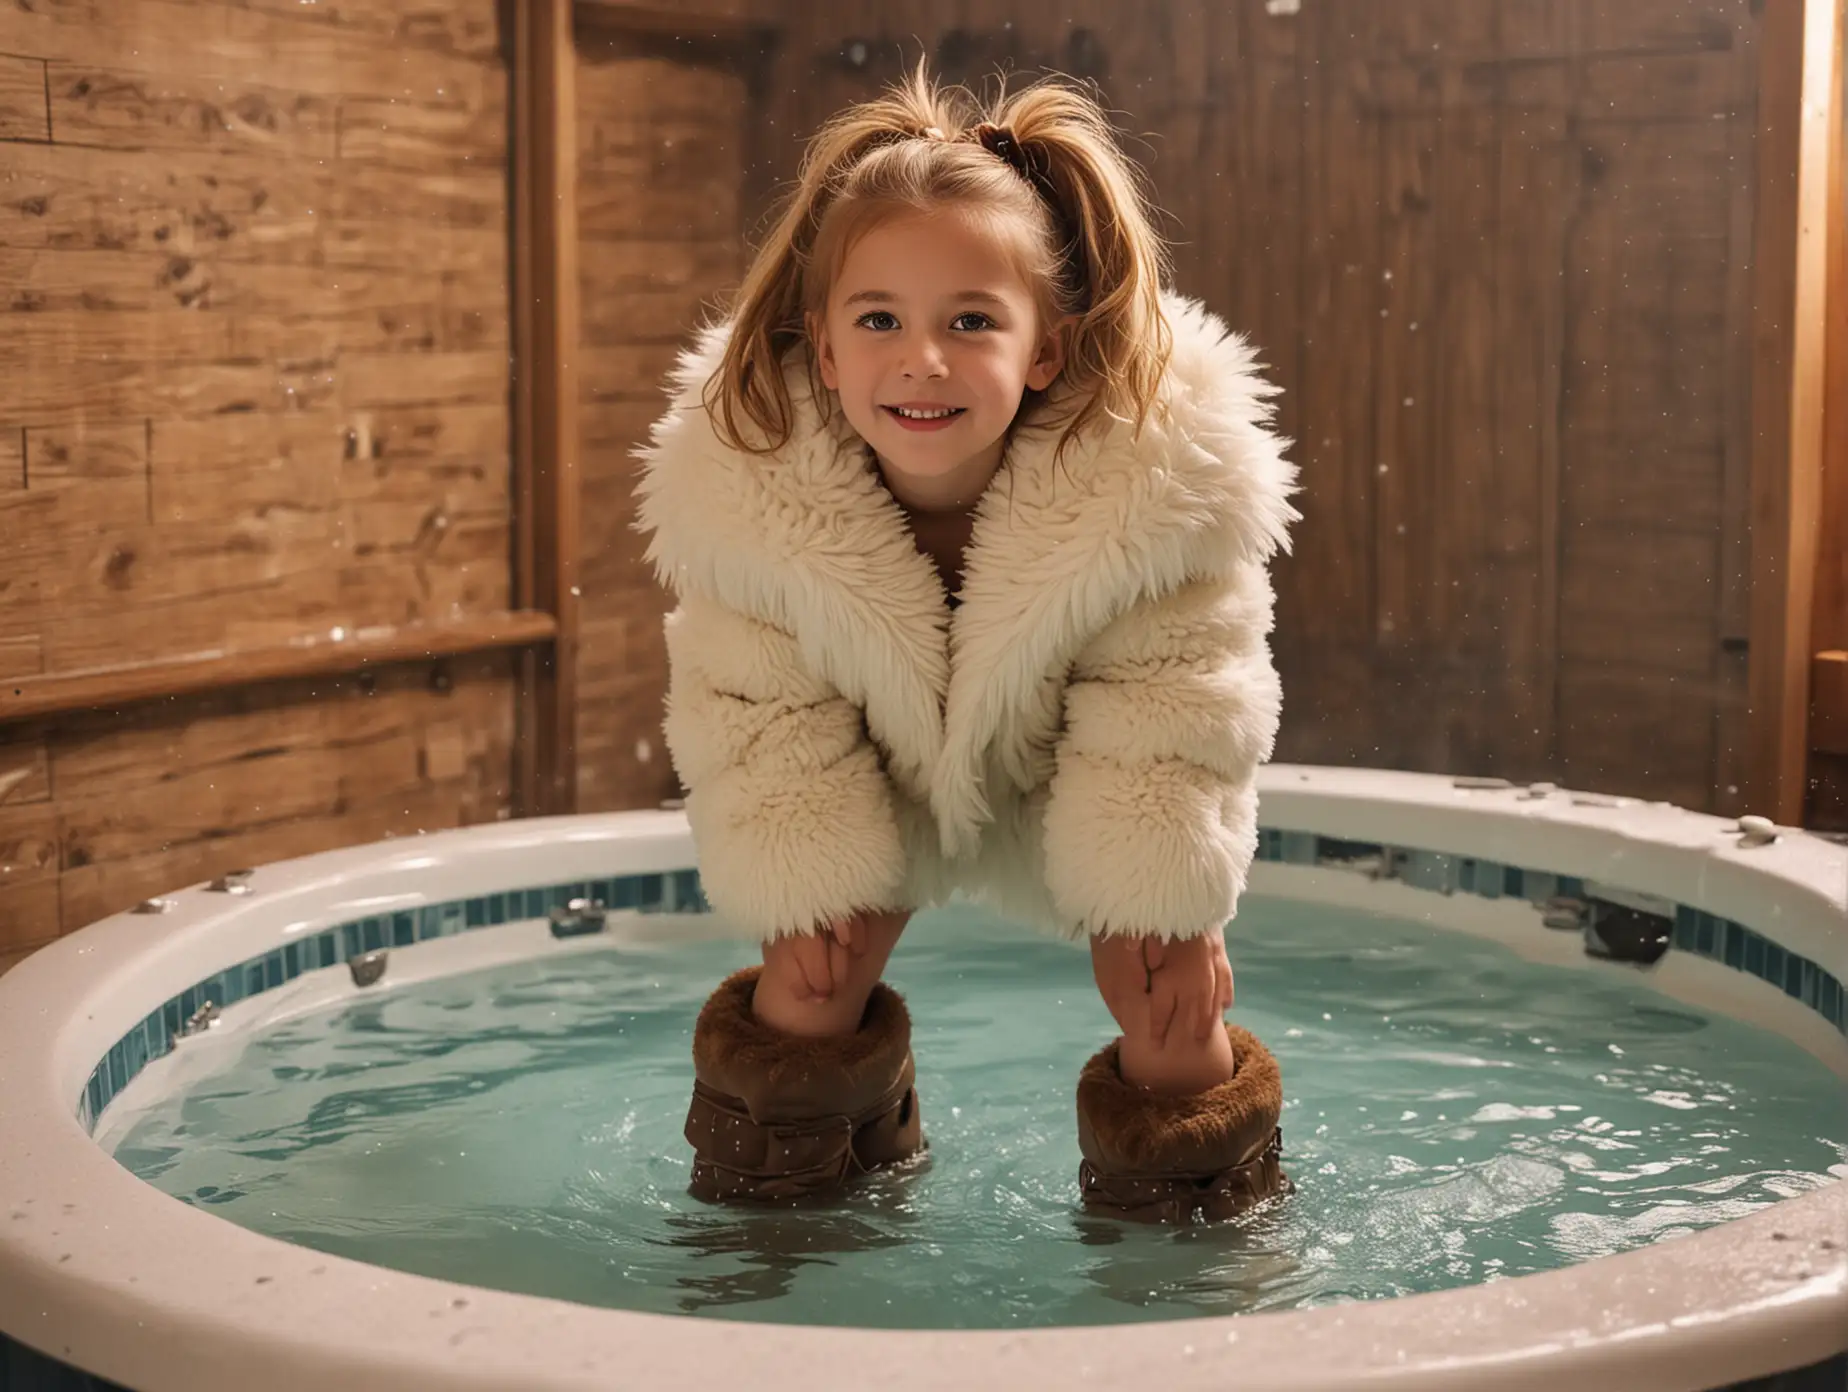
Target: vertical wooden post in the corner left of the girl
546,398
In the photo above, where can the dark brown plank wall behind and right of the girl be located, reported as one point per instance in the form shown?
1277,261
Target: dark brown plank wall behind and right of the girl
1500,256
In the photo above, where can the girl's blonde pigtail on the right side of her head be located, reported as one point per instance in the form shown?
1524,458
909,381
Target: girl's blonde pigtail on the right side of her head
1115,263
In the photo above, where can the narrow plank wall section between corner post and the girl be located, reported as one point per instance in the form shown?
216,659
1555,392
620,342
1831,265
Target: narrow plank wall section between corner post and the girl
663,178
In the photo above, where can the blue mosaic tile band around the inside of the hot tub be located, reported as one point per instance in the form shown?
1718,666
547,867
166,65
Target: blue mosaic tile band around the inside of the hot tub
679,892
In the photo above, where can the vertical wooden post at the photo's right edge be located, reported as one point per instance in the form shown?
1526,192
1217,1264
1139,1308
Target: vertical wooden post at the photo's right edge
1797,47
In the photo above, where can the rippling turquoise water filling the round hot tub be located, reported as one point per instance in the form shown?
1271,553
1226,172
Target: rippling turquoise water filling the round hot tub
1455,1116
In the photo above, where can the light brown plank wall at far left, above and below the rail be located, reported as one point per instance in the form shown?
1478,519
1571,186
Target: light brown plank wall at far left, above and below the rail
252,384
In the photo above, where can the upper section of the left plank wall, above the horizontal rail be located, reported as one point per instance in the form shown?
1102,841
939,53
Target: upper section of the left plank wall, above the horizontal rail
250,278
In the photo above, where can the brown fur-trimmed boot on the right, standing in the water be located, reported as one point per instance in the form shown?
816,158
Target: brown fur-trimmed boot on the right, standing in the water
1158,1158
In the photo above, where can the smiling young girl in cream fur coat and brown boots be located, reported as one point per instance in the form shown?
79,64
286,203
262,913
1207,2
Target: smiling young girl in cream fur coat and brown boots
967,520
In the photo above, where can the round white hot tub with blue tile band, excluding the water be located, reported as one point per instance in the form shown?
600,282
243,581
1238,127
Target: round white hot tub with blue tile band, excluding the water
106,1275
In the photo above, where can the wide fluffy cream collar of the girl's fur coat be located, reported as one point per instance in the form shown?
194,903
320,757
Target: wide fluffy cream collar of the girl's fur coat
812,543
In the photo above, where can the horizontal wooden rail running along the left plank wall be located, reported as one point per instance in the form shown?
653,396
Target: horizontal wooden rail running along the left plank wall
311,655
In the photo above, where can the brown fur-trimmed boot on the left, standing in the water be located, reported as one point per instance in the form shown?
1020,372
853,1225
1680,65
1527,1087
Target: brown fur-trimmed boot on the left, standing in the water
783,1117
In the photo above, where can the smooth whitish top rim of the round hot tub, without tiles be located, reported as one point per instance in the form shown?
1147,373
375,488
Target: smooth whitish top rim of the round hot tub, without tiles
1768,1299
